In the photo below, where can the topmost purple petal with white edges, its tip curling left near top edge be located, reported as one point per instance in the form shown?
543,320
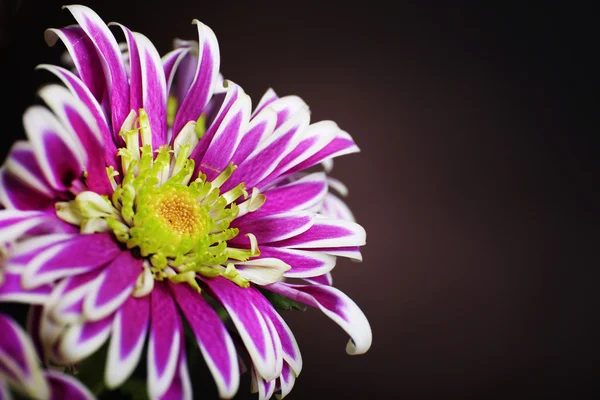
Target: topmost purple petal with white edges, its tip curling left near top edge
112,63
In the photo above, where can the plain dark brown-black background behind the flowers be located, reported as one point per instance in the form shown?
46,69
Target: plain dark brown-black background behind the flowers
475,182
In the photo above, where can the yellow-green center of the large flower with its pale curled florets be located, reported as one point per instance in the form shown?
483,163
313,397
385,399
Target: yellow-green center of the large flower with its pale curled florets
180,227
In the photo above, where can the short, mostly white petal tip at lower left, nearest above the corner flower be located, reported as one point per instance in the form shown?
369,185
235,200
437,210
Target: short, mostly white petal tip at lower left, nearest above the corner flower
81,340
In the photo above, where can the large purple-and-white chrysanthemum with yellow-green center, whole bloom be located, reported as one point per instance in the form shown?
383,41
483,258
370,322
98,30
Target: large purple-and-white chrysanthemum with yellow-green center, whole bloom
149,188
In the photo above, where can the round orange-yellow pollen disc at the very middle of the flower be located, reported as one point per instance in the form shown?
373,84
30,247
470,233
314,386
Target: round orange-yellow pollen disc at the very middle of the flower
180,215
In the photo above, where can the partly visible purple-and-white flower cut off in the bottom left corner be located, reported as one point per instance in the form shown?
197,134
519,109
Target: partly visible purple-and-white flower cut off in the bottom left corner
20,369
